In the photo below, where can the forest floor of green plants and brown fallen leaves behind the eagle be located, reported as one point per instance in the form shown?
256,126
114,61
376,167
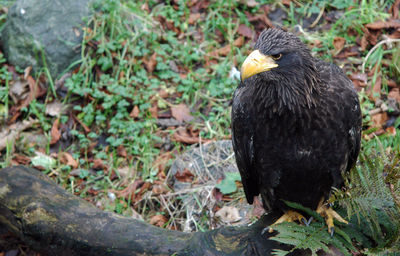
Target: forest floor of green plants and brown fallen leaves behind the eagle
157,77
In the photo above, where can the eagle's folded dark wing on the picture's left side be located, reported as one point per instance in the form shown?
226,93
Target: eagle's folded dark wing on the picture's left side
242,141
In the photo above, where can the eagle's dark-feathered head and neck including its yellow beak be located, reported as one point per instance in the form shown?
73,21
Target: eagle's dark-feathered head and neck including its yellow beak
282,65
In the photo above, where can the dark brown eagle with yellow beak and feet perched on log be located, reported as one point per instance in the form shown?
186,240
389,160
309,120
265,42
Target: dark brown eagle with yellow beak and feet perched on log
296,127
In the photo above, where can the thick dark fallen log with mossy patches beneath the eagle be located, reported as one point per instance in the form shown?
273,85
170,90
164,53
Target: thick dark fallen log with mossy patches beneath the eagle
53,222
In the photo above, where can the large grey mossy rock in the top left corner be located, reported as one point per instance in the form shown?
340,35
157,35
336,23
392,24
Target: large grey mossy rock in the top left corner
52,27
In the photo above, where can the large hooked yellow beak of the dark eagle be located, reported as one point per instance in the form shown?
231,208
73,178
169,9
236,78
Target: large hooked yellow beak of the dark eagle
256,63
